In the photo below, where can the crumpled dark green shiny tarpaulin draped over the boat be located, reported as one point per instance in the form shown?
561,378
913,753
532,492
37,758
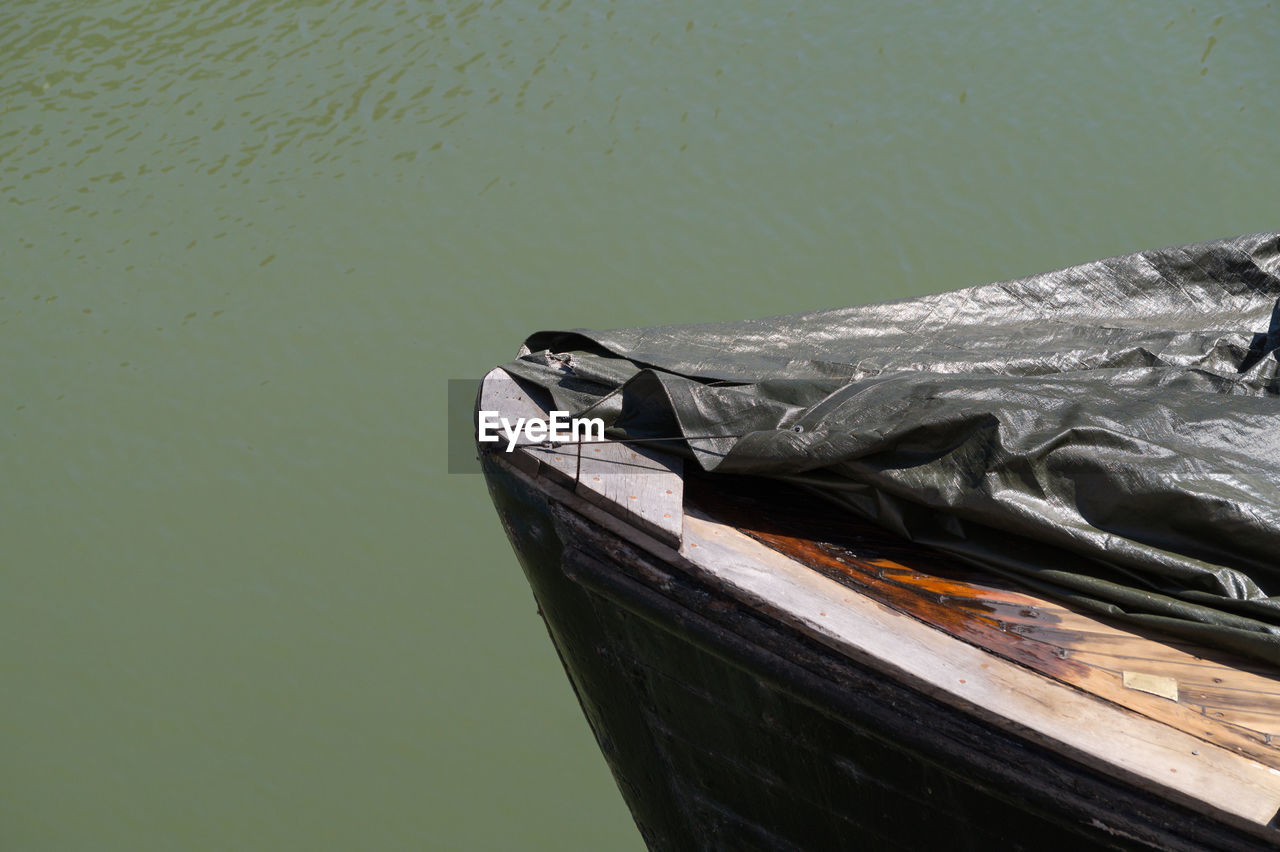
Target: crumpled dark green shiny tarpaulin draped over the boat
1108,434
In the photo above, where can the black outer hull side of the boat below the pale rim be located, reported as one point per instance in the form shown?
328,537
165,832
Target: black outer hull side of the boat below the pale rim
726,730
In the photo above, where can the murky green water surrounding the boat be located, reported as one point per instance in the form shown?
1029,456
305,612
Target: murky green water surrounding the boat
244,246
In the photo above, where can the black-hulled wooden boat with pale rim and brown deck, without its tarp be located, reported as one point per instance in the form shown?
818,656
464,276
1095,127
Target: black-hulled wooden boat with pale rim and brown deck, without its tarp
761,674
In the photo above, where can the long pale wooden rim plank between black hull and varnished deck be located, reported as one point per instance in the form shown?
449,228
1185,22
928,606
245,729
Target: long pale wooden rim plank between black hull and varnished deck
1150,754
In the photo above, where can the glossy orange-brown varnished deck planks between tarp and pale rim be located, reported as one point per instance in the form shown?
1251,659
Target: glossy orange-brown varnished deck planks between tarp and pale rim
1223,700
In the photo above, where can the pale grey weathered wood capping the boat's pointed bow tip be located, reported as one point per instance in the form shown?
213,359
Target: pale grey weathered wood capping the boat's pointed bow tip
639,485
